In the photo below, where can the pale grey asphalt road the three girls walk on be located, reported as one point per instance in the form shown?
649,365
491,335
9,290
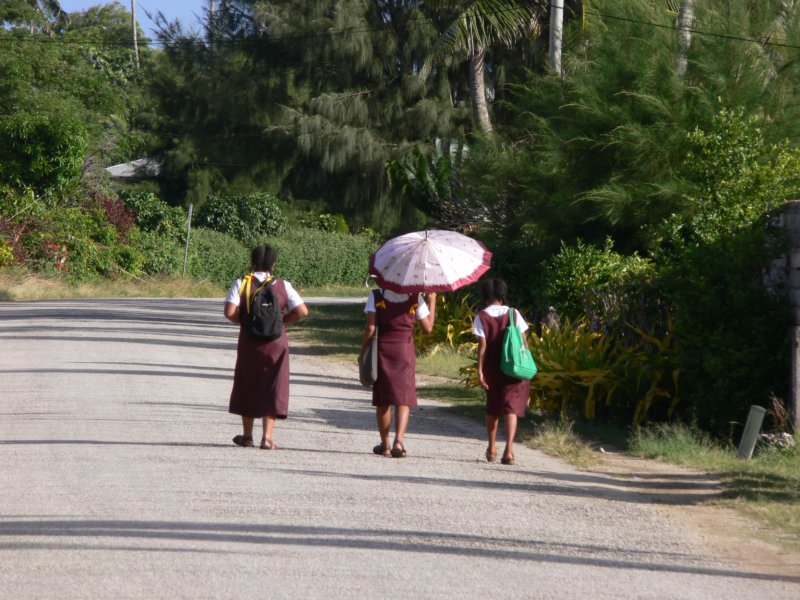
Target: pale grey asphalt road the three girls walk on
118,480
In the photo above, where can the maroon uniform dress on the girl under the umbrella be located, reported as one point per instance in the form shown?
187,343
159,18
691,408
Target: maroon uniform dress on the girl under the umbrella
397,362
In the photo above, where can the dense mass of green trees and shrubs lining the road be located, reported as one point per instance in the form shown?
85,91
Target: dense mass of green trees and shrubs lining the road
629,196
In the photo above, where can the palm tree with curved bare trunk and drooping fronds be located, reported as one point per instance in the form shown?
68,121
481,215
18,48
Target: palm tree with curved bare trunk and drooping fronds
479,25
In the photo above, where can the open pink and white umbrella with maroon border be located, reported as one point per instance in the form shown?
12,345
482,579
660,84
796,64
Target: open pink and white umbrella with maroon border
429,261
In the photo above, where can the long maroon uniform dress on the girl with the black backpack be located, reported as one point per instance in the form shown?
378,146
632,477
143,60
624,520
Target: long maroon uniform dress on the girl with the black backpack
261,377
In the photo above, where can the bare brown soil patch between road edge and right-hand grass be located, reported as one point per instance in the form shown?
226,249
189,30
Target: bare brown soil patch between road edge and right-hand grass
688,497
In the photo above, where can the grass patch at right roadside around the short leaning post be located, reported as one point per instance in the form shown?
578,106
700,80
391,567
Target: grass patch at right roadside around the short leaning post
766,487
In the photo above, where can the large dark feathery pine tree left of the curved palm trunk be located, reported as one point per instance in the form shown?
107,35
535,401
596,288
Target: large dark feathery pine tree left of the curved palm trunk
312,96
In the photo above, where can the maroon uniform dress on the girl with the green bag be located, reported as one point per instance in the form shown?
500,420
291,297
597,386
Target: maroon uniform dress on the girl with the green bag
506,395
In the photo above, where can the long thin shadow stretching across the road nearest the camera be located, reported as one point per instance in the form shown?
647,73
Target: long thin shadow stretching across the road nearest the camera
84,535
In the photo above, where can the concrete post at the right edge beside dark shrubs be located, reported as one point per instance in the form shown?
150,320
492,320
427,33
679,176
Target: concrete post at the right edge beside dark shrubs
791,222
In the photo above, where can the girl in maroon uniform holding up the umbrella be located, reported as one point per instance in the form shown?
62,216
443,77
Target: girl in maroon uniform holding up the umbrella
394,315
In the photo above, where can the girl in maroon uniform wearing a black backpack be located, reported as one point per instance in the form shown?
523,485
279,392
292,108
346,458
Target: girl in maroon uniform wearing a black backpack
261,377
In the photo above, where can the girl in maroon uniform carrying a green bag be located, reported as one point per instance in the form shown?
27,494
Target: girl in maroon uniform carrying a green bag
506,396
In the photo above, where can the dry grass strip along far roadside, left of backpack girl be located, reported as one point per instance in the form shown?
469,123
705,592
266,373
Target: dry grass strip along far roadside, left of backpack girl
22,286
